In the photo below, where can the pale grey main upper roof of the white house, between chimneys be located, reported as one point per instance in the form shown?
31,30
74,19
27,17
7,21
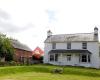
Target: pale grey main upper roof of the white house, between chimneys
70,37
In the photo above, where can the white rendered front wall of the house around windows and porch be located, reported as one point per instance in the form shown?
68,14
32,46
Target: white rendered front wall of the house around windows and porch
93,47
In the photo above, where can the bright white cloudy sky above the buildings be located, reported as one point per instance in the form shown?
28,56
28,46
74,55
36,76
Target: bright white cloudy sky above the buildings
29,20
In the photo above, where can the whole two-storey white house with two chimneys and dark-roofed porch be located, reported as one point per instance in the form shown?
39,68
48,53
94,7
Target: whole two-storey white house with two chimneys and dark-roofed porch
81,49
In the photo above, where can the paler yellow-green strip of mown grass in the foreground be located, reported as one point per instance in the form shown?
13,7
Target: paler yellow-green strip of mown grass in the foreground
45,76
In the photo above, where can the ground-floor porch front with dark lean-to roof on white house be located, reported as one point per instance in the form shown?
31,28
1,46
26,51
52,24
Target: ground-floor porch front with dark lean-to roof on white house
70,57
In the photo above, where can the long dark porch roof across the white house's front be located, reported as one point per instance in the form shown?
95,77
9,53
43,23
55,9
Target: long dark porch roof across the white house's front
69,51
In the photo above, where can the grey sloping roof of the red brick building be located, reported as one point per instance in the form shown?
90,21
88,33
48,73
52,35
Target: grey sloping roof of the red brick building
18,45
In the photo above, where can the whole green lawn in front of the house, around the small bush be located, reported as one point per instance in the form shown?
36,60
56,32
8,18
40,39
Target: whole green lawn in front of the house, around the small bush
43,72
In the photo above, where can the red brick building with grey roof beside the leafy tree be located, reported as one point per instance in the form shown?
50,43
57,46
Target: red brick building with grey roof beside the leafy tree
22,52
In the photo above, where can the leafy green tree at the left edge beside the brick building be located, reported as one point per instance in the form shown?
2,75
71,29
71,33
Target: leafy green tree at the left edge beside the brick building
6,49
